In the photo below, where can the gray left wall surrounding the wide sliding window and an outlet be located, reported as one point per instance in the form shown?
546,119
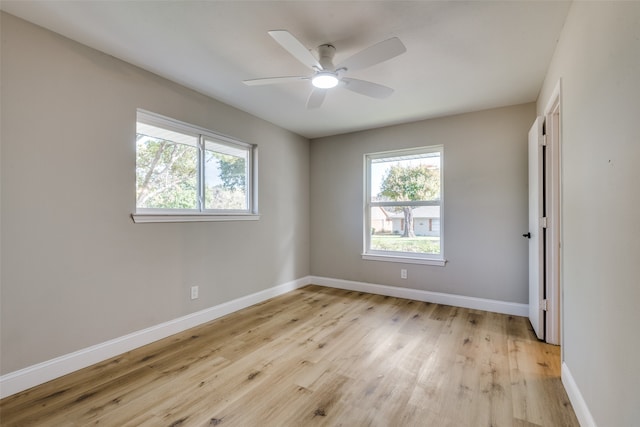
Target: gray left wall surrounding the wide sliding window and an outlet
76,271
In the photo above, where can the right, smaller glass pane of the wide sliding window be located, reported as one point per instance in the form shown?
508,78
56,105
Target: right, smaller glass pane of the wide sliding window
225,176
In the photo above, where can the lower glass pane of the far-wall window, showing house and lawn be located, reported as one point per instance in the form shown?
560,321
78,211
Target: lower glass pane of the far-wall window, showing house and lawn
389,230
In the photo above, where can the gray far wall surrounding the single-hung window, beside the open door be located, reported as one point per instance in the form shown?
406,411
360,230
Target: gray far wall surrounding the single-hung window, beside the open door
485,204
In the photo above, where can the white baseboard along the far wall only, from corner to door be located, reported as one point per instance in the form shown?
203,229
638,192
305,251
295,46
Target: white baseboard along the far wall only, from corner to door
495,306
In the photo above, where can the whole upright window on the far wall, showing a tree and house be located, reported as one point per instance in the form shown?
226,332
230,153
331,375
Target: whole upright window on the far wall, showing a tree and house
403,206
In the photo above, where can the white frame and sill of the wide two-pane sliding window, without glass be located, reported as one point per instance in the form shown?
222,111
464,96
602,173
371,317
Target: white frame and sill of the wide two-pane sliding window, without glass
143,215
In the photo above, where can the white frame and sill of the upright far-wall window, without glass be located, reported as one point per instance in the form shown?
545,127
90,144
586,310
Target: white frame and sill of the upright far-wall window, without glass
397,256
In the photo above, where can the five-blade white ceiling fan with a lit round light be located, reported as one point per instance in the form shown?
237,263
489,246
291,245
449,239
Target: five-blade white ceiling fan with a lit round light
326,75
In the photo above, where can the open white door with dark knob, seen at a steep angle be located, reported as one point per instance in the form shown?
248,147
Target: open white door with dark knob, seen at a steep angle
536,236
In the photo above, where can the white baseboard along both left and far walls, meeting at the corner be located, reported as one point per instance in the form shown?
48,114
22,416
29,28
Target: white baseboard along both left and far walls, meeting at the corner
40,373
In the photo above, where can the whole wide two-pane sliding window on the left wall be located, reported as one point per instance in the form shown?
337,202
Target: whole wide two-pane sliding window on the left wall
185,173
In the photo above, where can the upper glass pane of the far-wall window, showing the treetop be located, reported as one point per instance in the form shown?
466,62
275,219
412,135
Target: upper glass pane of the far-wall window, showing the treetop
406,178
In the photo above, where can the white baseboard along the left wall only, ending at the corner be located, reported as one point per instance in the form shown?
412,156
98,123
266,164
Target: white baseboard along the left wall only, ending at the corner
40,373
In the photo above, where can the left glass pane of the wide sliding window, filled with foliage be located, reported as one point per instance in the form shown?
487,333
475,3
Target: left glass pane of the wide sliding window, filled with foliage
166,169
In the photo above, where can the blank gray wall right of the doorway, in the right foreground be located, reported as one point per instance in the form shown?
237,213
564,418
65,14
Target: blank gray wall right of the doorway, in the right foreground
598,59
